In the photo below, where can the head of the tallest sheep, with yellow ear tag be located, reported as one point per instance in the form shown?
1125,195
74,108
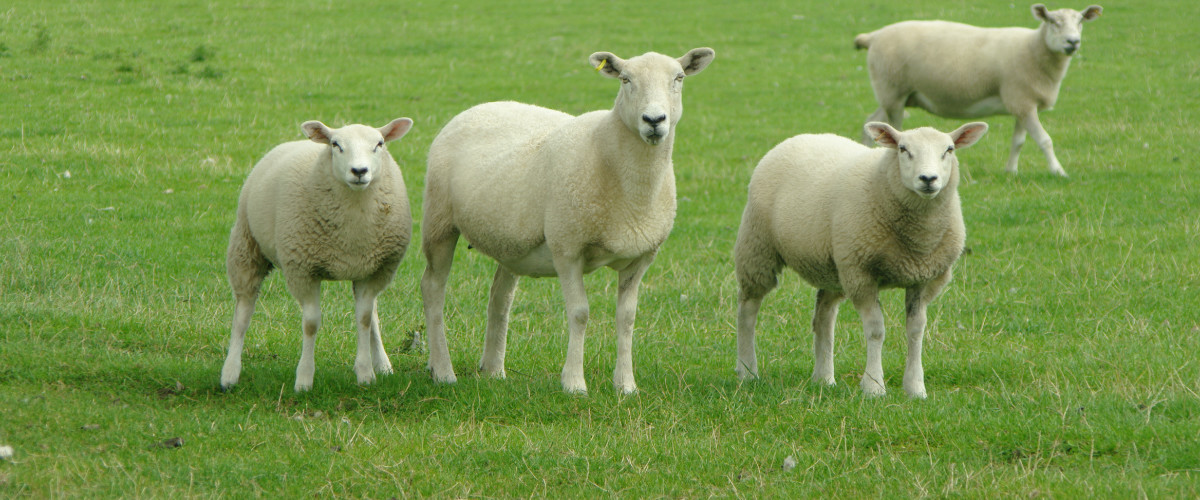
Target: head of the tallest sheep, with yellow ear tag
651,98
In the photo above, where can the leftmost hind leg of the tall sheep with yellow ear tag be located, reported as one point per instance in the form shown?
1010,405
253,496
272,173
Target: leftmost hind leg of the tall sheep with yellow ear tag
440,256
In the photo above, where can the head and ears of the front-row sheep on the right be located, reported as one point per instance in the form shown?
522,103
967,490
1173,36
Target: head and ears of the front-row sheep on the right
926,156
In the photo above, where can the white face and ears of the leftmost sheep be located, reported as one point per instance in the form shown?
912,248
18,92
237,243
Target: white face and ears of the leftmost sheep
357,152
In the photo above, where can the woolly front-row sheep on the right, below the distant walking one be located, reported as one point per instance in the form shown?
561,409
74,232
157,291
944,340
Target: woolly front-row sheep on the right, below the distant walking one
851,221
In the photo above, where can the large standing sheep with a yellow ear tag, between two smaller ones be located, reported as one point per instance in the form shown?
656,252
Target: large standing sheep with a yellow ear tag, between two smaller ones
545,194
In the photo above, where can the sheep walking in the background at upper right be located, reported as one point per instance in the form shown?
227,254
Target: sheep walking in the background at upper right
962,71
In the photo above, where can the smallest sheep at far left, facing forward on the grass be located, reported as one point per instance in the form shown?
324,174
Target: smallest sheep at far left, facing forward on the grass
333,208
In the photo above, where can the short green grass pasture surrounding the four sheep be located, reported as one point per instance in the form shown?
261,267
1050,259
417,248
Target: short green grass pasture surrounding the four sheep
1061,363
